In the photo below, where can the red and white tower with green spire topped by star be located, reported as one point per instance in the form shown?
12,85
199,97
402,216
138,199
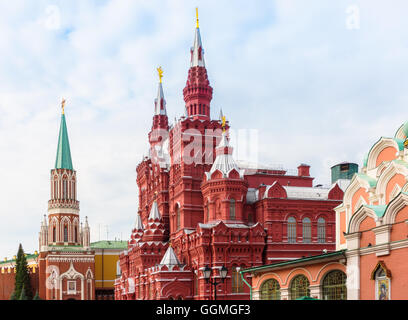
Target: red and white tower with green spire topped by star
66,261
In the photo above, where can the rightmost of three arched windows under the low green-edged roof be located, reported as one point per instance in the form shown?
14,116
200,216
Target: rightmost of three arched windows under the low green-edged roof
334,286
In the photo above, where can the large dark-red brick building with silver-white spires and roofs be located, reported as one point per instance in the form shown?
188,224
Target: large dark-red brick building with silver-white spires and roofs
214,211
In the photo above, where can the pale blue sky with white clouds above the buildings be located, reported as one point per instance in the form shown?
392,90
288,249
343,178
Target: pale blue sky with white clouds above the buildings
321,81
